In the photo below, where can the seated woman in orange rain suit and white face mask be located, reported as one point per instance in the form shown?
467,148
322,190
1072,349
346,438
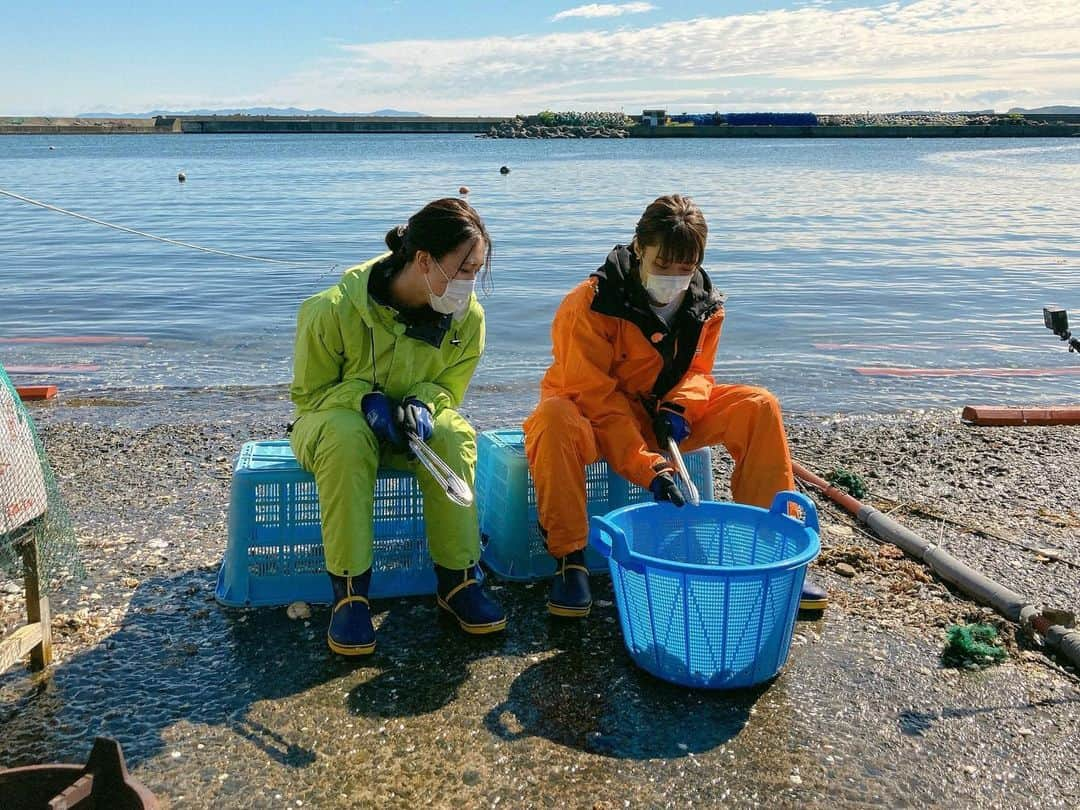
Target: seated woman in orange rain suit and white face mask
633,352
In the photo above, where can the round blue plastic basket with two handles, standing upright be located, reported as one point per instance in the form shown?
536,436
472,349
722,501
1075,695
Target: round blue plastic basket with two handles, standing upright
708,597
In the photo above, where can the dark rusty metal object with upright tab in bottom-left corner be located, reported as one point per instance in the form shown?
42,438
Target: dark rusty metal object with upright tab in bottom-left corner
102,785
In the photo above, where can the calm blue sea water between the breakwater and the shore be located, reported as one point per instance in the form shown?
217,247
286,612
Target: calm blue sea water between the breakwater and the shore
925,254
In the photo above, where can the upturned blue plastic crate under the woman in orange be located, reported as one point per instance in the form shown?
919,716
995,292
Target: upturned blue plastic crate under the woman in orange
514,548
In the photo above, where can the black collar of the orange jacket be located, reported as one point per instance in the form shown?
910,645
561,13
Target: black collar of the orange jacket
622,294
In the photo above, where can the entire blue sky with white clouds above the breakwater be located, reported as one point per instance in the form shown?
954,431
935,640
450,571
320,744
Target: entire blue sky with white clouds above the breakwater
445,58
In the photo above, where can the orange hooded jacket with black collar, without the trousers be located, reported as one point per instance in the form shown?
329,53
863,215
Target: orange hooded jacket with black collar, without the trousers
619,362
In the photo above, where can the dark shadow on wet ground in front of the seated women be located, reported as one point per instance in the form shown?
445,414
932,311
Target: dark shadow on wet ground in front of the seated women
180,657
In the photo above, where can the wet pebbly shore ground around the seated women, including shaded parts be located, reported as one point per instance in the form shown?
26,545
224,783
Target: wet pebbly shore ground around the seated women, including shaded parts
223,708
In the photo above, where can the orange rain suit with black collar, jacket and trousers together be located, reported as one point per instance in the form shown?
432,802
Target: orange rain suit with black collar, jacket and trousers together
615,363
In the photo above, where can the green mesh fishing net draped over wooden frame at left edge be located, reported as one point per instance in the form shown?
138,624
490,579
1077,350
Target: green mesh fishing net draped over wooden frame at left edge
31,505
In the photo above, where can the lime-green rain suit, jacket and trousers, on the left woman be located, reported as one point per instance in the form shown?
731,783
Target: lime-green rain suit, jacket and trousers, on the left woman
349,345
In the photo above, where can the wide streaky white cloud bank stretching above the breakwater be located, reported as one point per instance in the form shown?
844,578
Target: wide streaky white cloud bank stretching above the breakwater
922,55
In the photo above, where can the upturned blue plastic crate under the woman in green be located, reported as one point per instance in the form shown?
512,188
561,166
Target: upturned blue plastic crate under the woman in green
275,555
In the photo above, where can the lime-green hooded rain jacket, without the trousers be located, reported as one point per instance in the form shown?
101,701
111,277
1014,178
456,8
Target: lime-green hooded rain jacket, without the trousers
349,345
